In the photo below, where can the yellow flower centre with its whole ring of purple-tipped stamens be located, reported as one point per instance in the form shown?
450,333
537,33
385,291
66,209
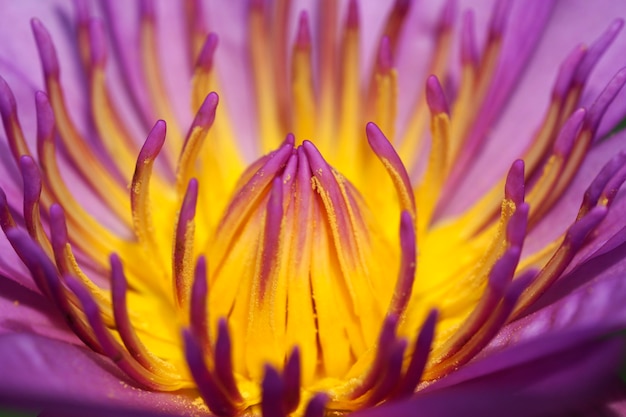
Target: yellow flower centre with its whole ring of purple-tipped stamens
325,276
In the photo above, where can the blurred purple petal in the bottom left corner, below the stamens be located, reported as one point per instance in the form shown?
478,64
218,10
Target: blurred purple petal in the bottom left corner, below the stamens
41,373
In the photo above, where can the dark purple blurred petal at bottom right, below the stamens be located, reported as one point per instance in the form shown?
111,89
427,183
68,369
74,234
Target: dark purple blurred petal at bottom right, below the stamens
519,384
